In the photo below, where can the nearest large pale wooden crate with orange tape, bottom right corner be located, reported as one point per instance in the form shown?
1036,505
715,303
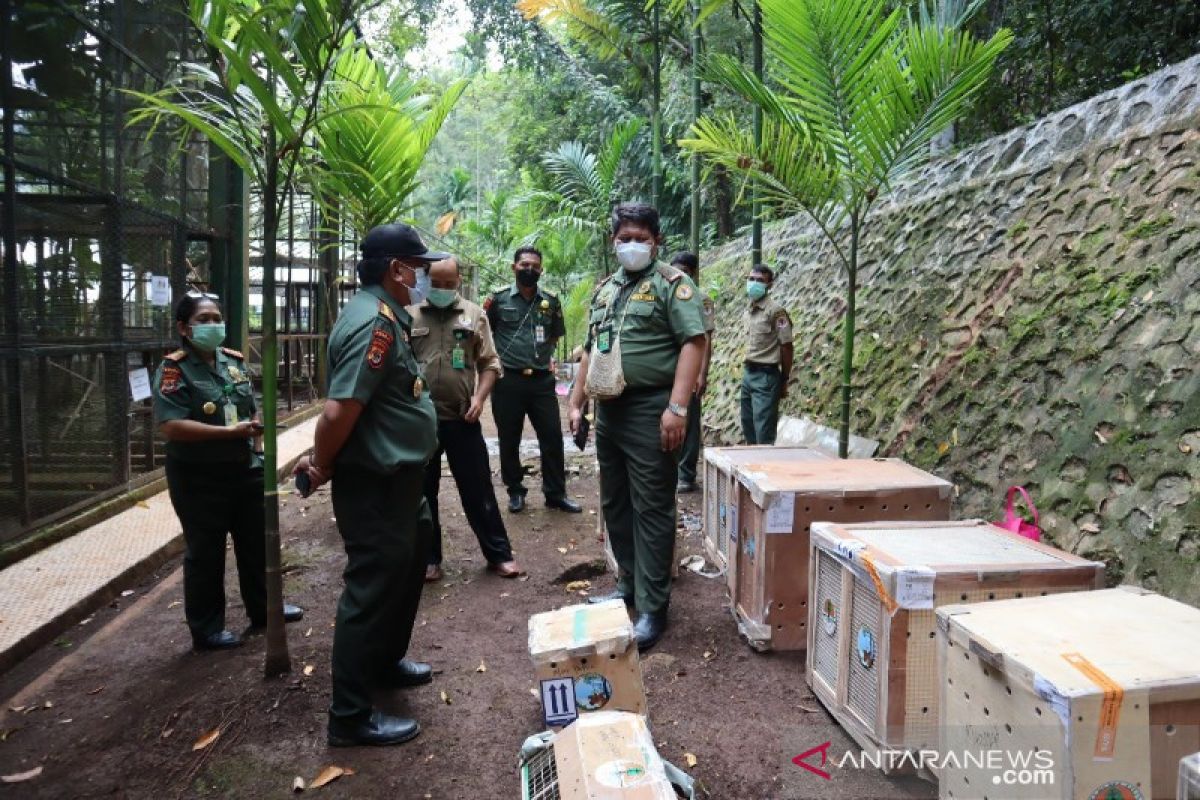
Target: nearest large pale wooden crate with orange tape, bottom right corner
1105,685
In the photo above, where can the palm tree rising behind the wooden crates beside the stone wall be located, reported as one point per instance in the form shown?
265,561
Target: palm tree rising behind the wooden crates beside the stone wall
859,94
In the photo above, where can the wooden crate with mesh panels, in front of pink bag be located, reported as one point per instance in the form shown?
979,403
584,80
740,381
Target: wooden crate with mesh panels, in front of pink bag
873,655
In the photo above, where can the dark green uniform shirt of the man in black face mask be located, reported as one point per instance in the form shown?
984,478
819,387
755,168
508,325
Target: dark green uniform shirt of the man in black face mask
525,330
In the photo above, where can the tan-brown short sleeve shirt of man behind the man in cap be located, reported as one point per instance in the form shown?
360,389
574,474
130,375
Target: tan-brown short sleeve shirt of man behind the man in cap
453,345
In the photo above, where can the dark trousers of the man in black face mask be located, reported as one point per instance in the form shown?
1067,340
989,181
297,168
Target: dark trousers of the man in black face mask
515,398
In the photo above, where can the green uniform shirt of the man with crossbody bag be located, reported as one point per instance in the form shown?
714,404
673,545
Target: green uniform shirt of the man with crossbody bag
652,315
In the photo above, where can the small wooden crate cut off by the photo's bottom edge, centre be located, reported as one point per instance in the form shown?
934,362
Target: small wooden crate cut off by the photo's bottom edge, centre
604,756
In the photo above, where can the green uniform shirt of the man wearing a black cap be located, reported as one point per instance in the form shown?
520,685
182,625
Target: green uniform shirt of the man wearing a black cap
371,362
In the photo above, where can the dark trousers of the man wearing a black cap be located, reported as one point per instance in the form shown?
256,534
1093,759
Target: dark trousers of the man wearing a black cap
386,528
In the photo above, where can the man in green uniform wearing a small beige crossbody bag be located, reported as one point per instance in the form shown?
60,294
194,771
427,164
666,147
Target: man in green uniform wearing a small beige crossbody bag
650,318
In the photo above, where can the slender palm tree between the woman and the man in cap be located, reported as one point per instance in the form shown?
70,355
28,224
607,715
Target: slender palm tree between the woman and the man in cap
259,101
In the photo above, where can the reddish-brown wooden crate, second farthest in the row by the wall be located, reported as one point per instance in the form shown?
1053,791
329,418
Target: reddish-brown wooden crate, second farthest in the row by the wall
779,504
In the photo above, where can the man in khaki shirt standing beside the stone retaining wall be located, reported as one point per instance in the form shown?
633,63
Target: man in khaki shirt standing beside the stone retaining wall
769,360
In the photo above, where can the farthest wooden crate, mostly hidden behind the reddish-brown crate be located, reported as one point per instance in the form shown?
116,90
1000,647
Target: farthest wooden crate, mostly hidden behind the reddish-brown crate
722,490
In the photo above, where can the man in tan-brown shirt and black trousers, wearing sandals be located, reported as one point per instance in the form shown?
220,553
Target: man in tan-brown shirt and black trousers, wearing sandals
453,341
